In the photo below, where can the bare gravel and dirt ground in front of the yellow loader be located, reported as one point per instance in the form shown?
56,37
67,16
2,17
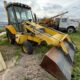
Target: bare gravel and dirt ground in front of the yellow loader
26,68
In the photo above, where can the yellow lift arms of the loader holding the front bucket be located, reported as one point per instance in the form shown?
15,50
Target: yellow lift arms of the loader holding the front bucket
50,36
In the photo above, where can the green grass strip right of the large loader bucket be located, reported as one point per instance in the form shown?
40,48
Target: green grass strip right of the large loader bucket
76,69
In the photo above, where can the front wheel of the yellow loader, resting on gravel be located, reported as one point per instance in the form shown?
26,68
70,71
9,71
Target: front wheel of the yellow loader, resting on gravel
27,47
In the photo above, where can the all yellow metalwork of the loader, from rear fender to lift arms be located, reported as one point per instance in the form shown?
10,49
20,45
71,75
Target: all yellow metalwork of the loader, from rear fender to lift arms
50,36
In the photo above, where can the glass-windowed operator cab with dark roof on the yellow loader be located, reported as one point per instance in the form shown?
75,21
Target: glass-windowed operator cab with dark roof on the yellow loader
17,13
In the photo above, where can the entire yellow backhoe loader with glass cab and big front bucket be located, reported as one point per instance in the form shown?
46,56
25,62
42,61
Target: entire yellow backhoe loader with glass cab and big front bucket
24,30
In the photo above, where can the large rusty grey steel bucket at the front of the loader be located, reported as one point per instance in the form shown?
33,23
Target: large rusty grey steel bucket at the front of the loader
58,64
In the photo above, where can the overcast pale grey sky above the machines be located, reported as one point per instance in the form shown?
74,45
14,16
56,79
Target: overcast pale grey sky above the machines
45,8
